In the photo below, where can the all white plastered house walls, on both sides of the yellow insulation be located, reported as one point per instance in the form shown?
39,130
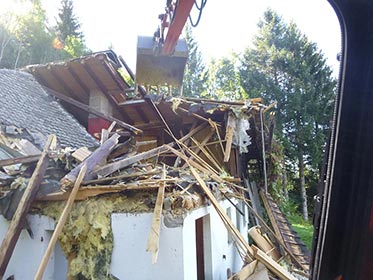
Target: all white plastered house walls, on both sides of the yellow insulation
177,249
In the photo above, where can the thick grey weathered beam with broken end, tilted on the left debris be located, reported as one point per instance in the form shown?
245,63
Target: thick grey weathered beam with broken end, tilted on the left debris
91,161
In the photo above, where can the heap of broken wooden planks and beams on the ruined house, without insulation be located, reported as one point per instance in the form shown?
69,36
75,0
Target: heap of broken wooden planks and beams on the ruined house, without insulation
202,164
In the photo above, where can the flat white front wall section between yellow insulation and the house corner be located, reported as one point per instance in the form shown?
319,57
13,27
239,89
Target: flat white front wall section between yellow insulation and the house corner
130,259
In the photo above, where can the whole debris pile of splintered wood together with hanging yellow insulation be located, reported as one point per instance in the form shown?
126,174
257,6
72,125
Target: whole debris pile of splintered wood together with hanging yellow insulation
194,163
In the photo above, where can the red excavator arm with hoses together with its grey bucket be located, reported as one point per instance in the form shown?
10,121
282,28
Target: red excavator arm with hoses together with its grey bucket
161,59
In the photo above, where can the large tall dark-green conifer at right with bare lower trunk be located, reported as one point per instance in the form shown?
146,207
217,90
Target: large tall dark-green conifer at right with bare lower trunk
284,66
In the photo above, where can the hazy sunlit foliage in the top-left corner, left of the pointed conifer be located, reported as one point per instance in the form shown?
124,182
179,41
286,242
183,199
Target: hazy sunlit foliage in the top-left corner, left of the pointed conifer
25,38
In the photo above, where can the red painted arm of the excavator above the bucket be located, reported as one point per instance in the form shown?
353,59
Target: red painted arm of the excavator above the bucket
176,27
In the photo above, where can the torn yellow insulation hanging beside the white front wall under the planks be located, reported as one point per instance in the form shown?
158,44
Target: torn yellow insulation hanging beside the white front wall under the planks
87,238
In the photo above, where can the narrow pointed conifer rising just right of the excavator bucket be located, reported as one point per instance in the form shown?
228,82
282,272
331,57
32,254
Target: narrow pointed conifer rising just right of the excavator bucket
195,76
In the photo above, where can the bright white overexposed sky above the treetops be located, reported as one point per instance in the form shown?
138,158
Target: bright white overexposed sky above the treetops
225,26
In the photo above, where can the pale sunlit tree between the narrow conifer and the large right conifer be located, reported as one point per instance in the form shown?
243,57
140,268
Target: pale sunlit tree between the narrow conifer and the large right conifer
224,79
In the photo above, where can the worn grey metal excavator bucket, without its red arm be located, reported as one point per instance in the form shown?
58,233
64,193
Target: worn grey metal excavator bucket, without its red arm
160,70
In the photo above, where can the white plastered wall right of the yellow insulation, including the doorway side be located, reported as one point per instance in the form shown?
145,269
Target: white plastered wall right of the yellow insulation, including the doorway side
177,248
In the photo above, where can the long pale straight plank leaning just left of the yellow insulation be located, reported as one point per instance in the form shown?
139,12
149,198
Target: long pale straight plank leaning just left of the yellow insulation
60,224
